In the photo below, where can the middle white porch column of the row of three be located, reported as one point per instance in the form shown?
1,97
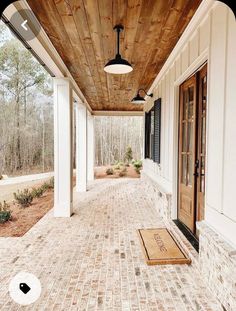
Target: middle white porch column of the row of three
81,148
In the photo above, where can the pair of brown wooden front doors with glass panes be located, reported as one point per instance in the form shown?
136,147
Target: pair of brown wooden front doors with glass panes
192,147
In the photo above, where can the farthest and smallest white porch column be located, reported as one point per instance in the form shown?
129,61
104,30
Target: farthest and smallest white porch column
90,147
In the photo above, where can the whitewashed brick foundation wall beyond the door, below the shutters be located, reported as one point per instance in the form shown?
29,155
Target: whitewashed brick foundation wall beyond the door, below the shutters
161,201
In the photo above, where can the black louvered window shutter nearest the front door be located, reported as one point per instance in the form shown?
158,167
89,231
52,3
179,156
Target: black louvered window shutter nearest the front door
157,131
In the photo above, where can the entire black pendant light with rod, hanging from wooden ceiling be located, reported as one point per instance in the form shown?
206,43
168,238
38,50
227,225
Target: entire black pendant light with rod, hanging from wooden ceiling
118,65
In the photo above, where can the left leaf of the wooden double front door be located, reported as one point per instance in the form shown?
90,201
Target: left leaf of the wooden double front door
187,152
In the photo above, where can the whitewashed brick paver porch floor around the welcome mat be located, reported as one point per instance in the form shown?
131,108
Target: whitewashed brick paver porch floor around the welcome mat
93,261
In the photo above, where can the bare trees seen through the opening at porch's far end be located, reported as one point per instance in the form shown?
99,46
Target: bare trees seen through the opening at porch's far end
113,135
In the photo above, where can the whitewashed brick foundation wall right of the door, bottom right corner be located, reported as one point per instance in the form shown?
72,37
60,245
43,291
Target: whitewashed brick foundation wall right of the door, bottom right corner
217,262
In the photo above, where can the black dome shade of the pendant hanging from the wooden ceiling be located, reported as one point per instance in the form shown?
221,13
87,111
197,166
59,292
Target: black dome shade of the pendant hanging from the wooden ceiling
118,66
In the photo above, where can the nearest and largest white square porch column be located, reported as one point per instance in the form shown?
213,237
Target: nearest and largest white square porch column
63,172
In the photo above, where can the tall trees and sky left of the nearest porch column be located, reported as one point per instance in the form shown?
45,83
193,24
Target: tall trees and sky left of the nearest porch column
26,110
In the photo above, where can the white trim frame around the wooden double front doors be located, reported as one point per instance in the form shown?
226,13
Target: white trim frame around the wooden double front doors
191,70
